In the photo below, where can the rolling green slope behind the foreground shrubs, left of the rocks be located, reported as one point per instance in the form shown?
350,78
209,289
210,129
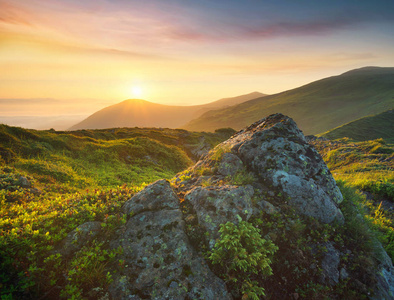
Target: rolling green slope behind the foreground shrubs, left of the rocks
102,157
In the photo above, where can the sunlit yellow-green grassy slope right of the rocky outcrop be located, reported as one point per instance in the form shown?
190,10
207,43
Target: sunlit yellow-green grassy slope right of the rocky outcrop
367,166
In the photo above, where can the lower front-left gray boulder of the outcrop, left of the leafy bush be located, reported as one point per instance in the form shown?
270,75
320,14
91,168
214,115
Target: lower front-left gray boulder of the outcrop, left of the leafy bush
159,262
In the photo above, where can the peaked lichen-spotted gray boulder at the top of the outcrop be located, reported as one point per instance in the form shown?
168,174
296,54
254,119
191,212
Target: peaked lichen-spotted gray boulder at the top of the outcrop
278,153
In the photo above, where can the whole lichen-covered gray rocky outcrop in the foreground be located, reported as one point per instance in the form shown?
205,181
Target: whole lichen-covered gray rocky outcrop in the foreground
262,172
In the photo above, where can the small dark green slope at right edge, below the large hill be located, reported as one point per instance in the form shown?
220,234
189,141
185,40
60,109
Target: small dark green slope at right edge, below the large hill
367,128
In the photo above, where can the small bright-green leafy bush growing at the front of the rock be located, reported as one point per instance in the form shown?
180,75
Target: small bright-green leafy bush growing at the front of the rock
242,253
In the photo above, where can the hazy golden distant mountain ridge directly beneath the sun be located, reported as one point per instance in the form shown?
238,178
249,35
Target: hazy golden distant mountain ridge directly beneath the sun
142,113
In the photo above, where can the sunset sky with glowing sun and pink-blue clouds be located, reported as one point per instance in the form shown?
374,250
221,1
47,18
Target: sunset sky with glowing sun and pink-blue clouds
72,57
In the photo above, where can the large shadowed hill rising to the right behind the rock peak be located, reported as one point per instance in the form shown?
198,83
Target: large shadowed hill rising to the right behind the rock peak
316,107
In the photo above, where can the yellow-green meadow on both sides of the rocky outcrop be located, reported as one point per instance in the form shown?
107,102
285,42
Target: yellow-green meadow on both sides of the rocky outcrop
51,182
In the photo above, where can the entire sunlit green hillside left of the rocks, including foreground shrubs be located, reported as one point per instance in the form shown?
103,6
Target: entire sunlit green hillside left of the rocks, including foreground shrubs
51,182
